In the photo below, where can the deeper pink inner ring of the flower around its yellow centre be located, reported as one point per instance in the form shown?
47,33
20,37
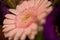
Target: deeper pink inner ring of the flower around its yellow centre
25,19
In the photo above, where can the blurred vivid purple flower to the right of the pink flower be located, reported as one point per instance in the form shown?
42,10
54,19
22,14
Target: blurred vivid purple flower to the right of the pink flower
49,27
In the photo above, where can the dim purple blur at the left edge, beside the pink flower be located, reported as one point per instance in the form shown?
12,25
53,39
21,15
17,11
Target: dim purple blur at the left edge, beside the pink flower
3,10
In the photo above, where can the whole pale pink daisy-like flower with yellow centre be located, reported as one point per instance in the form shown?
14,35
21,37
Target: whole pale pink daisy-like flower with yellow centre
22,22
